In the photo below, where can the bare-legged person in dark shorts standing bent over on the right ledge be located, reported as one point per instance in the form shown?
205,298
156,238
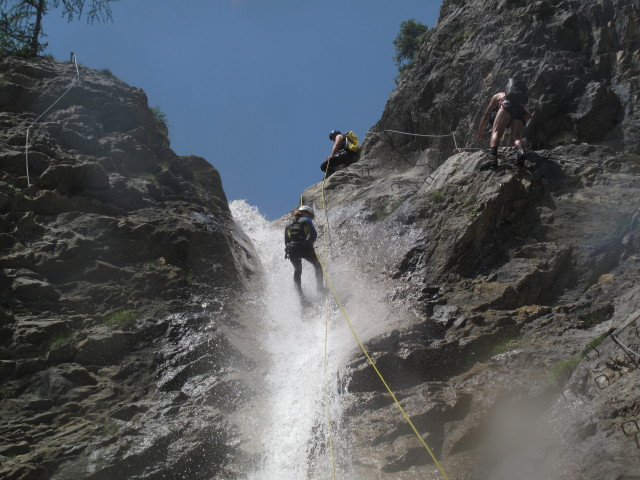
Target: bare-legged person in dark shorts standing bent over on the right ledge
506,109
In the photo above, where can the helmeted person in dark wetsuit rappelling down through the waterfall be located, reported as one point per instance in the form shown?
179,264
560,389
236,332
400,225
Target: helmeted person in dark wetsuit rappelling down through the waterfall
299,237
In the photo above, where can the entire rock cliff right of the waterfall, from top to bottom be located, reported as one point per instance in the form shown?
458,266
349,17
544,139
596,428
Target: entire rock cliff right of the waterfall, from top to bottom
519,286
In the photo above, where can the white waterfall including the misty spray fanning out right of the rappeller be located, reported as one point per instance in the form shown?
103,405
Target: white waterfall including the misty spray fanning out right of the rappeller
299,390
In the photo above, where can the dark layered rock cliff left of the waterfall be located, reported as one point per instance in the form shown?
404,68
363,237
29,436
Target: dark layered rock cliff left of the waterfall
105,263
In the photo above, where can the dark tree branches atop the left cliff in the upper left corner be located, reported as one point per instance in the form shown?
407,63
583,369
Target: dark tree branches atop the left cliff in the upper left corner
21,21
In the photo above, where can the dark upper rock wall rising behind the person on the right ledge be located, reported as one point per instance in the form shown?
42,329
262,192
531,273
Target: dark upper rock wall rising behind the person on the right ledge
578,58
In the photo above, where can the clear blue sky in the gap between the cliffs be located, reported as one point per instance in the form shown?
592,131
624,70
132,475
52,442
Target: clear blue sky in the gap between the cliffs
253,86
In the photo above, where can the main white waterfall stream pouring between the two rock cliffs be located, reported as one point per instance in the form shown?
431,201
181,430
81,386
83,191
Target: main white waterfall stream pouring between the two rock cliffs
299,399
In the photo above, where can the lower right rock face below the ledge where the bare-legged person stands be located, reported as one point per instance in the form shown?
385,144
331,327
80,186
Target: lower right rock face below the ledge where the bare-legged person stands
516,276
